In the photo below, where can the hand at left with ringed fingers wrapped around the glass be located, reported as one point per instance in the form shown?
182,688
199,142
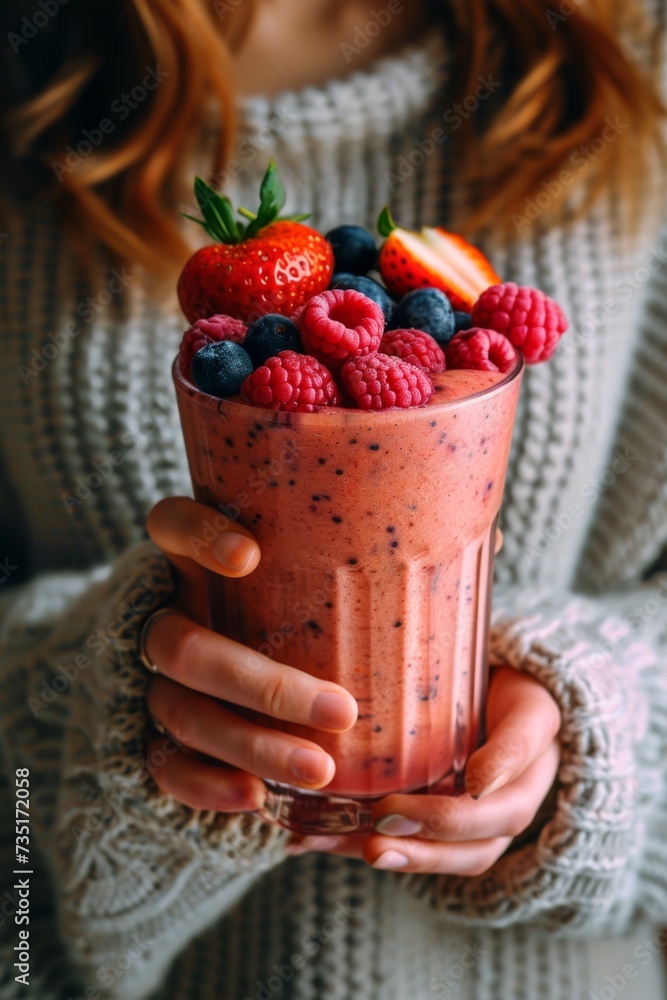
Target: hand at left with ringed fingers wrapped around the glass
198,670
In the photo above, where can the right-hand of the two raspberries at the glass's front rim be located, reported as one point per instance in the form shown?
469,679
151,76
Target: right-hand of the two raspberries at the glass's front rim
379,382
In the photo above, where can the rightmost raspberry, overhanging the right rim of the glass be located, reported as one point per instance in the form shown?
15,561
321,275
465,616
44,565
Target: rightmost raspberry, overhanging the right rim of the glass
527,317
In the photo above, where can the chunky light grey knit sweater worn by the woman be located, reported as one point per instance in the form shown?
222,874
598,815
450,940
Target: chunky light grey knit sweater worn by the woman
127,882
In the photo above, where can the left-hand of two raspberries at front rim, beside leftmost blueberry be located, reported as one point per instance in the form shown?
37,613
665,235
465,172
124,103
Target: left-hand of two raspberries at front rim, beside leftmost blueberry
291,382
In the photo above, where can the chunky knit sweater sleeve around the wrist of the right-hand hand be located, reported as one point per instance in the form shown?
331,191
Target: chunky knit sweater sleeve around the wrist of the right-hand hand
599,864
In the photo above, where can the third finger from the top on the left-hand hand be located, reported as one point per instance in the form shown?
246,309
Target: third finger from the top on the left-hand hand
202,724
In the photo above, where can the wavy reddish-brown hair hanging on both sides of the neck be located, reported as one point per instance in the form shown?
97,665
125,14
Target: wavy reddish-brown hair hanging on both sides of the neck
564,67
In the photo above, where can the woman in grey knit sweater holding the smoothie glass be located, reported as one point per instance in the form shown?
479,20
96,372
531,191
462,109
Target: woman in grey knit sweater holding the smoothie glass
532,128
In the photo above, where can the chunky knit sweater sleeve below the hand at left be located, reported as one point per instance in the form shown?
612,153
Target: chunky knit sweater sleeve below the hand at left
135,873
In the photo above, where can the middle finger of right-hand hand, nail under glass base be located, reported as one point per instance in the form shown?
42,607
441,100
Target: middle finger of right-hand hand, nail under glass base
505,813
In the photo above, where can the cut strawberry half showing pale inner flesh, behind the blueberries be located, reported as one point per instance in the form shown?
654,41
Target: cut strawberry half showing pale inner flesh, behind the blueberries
433,258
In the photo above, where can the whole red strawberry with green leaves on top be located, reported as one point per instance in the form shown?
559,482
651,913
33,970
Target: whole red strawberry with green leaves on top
267,265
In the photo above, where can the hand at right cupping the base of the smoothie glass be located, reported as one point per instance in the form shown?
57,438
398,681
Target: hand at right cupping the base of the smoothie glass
507,780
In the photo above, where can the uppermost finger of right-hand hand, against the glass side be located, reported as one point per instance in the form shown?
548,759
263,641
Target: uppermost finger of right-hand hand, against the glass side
524,720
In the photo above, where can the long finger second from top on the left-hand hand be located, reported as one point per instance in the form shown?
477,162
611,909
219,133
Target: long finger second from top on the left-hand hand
214,665
